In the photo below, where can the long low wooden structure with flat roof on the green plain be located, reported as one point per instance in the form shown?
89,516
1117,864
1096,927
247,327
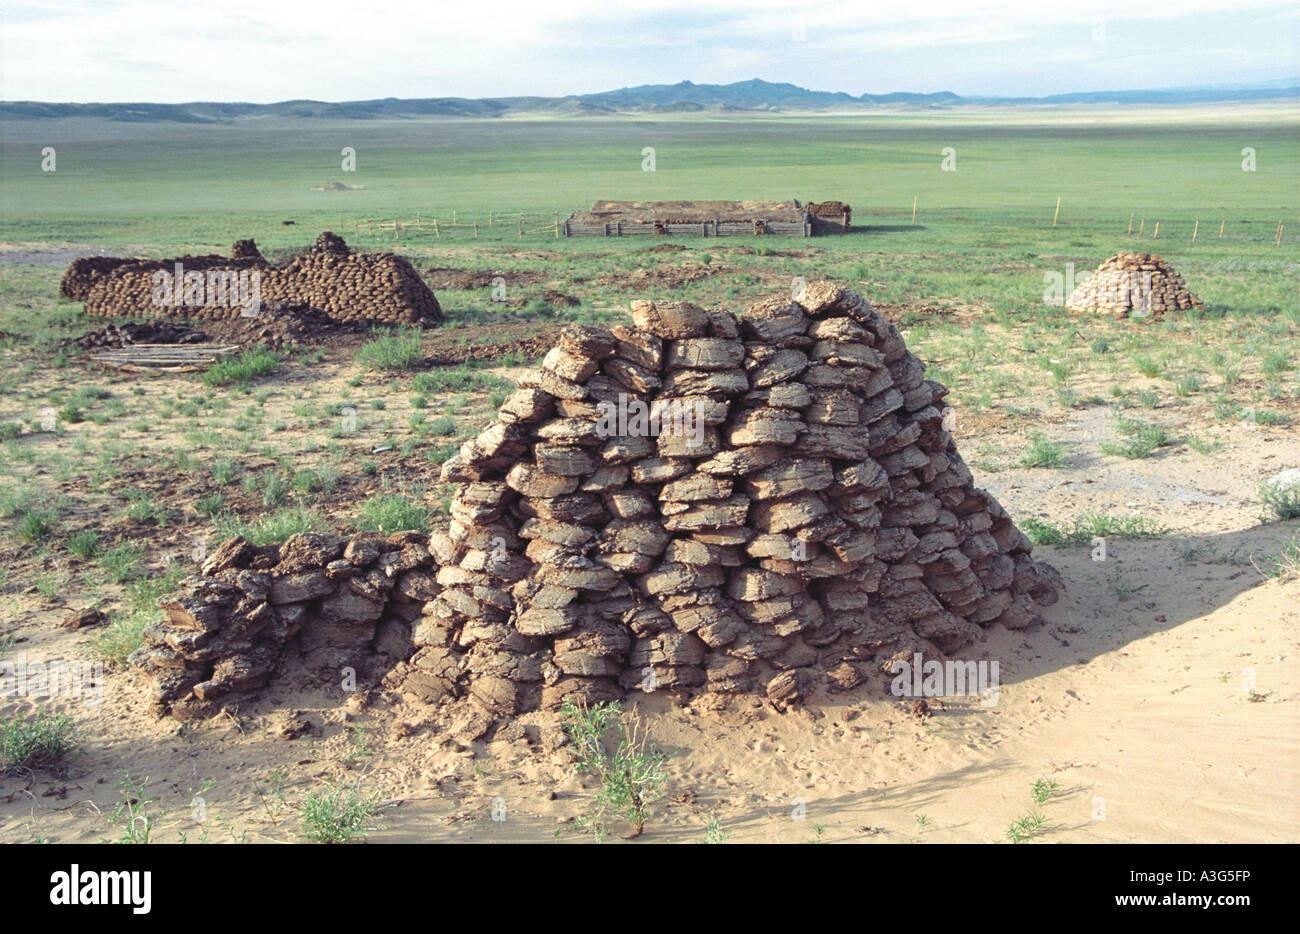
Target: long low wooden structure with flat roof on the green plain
709,219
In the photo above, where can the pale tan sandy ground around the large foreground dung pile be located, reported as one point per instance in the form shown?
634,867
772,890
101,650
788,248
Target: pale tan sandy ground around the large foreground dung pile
1160,697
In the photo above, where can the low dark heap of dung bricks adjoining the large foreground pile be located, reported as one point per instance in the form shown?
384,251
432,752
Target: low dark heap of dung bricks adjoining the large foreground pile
343,602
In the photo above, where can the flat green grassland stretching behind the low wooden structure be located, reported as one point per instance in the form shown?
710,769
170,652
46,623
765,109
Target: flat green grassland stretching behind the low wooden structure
202,187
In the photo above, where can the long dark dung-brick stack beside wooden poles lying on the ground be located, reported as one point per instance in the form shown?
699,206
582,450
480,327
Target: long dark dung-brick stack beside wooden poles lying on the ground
350,288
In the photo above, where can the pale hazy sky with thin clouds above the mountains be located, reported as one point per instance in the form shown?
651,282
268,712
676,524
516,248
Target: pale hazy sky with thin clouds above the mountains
354,50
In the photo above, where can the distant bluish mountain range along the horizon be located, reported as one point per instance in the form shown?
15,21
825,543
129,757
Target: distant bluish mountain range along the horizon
686,97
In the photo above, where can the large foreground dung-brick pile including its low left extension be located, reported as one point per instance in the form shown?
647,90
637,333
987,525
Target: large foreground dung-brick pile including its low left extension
814,524
